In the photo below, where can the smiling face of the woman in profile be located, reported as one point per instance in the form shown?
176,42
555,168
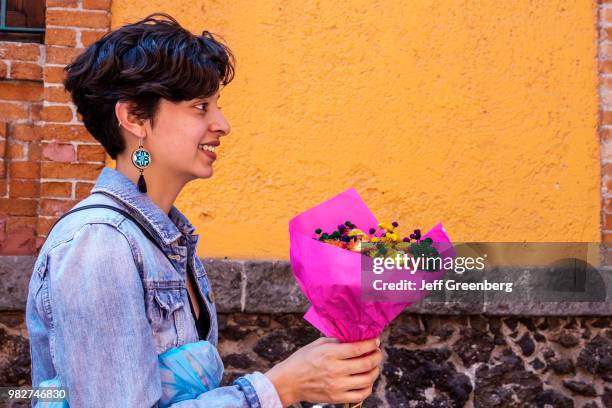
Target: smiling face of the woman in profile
178,131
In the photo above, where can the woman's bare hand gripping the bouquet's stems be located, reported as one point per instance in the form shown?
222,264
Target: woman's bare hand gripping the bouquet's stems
328,371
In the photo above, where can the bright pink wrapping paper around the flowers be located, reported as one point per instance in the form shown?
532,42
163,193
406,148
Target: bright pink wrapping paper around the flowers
330,277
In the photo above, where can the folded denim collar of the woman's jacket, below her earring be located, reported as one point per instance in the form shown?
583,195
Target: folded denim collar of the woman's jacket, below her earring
169,227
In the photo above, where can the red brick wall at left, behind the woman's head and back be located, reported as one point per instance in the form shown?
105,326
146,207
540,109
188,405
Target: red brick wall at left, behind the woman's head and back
48,161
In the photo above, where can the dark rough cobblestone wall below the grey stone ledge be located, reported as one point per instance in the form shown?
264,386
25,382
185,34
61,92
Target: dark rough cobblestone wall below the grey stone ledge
430,360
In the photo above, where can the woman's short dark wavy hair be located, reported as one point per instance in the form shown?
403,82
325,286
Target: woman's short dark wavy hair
140,63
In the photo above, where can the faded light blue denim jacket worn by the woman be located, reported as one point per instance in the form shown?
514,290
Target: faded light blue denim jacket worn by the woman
103,302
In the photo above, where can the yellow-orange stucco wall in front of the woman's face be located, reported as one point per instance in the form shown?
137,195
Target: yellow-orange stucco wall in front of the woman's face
481,115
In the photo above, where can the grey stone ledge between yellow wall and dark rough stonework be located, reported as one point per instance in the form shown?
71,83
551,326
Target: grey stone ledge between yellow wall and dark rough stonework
268,286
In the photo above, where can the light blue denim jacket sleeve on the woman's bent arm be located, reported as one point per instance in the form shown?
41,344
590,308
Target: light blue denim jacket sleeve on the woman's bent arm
103,344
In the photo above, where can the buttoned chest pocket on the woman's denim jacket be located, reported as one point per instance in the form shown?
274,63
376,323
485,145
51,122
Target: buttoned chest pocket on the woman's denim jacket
166,310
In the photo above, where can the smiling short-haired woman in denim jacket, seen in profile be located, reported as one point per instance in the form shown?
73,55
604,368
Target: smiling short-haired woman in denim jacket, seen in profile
105,299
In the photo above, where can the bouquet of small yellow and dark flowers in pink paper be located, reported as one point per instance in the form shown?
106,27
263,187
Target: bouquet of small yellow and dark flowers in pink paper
327,265
